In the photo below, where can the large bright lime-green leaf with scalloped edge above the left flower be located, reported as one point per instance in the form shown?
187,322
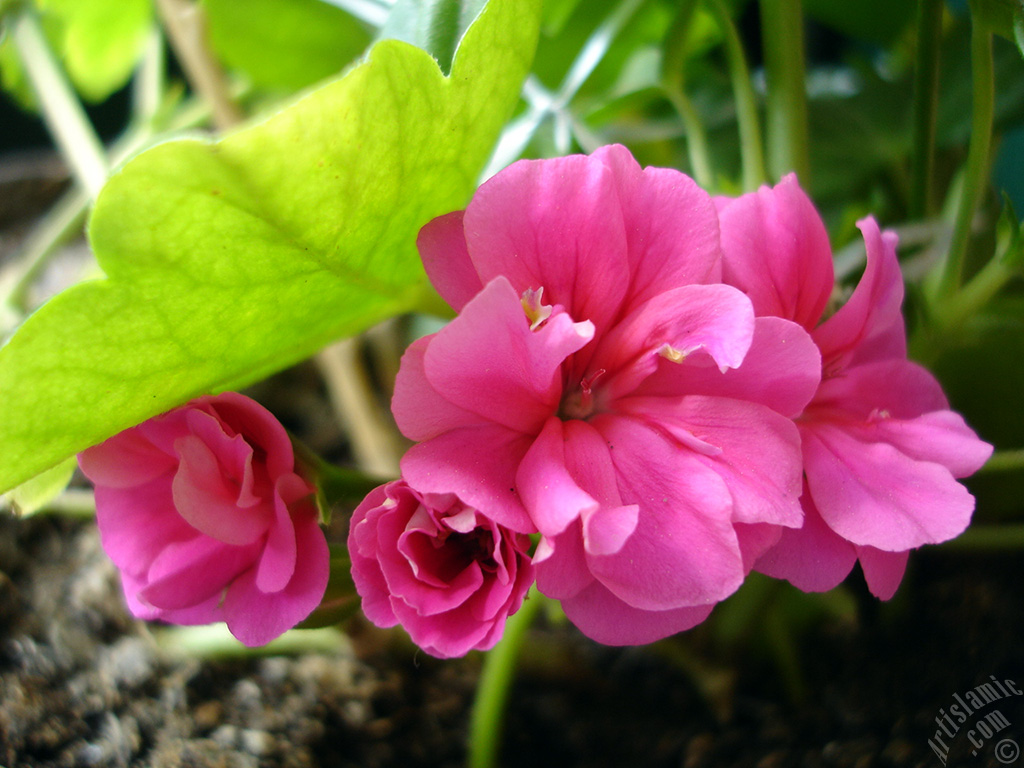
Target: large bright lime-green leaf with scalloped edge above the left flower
228,262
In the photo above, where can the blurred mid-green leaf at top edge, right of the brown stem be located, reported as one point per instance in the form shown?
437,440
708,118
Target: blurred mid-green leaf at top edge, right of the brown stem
284,44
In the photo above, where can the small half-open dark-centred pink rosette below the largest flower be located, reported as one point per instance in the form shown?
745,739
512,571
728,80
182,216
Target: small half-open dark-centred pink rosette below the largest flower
448,574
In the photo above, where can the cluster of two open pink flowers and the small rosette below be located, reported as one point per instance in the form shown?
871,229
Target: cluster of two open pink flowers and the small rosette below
639,376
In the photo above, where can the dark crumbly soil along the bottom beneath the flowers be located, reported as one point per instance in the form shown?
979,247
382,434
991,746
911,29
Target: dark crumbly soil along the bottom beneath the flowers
83,685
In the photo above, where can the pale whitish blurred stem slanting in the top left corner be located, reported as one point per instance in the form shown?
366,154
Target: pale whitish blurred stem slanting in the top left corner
62,111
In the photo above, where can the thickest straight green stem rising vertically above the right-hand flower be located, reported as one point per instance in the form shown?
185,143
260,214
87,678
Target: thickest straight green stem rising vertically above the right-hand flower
783,33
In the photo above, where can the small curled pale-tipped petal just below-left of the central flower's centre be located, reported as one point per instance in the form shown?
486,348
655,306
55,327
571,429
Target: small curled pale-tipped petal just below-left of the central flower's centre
551,496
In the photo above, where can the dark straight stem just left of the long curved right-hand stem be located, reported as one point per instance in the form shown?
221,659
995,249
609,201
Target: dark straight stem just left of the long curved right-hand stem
926,102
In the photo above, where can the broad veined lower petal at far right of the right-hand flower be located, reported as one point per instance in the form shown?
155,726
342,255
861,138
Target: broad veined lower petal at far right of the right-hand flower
873,494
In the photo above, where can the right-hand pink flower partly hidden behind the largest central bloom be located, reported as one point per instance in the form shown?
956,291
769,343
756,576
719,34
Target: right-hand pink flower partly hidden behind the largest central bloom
882,450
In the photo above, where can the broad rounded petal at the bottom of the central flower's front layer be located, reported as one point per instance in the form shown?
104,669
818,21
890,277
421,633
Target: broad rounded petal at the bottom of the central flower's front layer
685,550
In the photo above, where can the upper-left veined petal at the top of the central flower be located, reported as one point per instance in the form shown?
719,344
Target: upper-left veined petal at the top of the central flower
556,225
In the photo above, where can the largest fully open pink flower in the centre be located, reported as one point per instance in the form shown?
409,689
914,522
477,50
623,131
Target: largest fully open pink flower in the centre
591,391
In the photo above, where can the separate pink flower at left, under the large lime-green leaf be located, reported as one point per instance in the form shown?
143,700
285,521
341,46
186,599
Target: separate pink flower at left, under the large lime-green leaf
203,514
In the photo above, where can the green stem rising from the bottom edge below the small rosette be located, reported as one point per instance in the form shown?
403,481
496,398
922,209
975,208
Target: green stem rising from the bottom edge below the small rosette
496,680
